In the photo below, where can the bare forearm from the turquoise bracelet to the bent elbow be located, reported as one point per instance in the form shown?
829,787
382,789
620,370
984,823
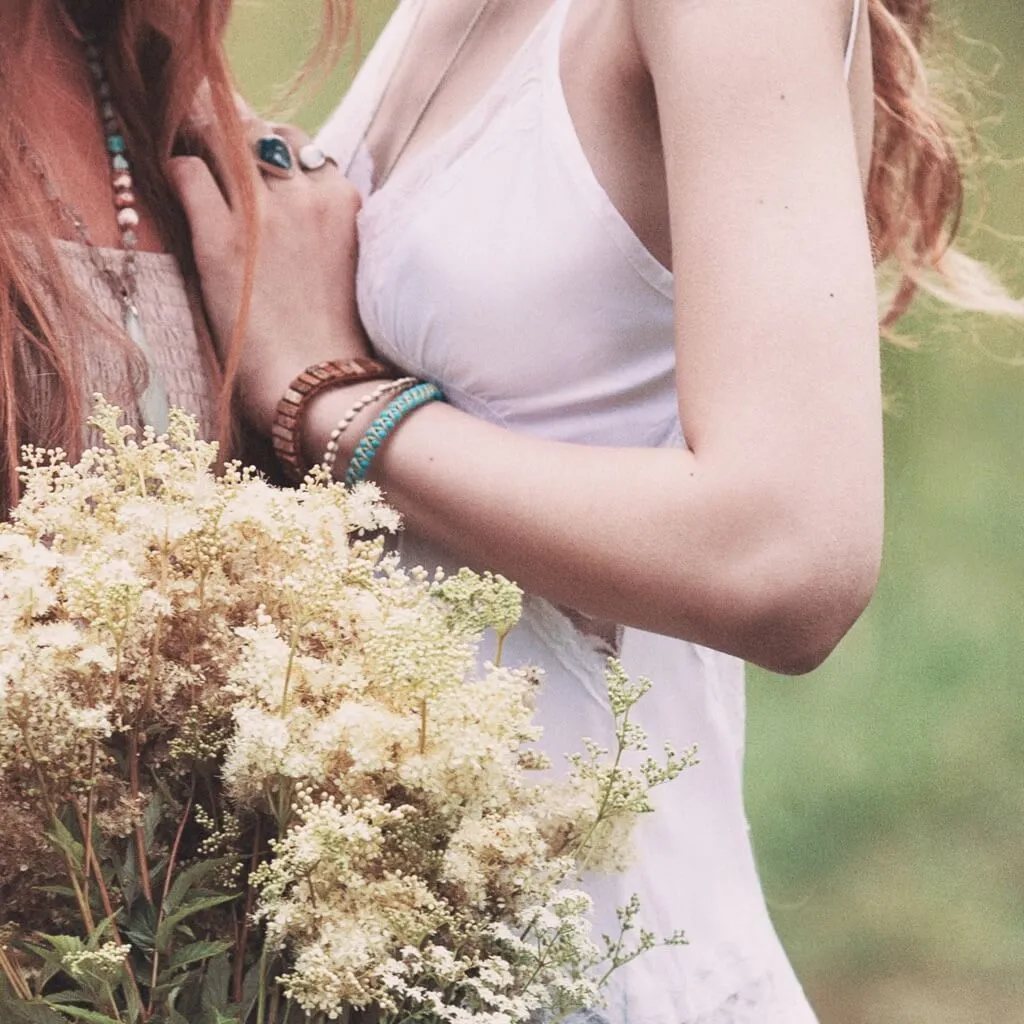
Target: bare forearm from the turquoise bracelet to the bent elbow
723,557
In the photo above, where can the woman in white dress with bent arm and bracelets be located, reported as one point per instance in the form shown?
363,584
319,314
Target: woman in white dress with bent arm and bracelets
603,228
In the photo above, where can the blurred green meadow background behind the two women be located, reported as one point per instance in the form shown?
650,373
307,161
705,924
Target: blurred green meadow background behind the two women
886,791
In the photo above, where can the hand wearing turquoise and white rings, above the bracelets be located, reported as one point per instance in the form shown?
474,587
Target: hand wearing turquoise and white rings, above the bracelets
300,281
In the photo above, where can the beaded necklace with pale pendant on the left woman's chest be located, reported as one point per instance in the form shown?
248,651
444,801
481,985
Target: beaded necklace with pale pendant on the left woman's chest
123,281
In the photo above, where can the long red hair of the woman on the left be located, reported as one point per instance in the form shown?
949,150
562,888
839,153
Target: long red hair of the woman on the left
159,55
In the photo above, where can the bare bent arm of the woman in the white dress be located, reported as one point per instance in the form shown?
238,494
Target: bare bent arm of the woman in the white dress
764,539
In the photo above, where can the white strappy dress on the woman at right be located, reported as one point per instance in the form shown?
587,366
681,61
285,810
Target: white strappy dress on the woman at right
495,265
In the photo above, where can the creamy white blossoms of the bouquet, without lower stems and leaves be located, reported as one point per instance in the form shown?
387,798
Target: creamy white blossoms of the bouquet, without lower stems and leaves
420,865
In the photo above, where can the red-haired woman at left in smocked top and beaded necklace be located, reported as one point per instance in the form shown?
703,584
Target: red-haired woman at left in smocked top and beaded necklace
98,289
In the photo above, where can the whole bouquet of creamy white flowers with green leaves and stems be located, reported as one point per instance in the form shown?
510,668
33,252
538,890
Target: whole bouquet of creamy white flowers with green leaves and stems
250,772
